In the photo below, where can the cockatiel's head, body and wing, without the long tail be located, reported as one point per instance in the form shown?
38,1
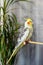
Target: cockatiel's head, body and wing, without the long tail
28,30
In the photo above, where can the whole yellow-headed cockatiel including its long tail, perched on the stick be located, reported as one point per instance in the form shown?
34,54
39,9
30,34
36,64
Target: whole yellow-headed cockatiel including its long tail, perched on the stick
27,34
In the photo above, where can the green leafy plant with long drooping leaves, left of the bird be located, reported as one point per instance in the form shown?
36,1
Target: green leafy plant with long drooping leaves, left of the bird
9,35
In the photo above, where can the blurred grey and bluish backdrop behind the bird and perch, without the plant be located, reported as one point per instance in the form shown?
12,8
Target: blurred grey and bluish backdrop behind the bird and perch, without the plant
31,54
